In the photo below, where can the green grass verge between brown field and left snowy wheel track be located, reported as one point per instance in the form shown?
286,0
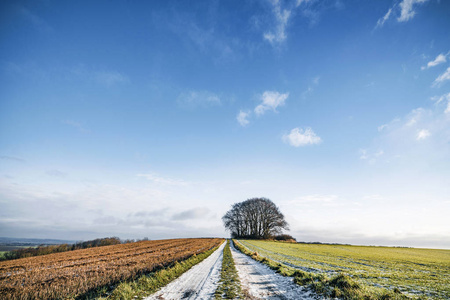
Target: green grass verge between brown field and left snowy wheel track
148,284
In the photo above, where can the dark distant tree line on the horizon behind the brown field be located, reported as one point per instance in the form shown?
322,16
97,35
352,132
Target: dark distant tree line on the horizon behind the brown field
44,250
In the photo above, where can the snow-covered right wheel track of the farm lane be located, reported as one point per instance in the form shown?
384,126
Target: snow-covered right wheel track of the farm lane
258,281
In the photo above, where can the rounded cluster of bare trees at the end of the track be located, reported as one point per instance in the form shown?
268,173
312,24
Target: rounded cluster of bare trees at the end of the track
256,218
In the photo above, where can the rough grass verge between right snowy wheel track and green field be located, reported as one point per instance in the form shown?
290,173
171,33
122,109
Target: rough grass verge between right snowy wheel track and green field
339,286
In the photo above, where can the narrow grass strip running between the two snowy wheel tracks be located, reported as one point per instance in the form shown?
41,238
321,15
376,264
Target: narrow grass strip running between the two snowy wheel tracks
229,285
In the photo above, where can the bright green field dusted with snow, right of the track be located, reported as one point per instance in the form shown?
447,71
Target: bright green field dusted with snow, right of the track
415,272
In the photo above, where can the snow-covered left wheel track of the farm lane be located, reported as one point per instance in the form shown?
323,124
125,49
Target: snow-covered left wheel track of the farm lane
200,282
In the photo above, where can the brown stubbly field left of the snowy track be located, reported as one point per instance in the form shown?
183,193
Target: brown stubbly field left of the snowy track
73,273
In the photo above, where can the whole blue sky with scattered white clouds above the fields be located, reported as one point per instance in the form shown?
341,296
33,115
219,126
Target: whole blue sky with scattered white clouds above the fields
149,119
